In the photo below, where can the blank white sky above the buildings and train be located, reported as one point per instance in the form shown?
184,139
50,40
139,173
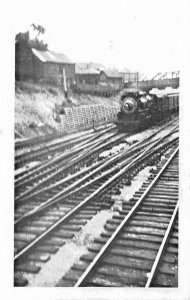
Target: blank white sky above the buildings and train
141,35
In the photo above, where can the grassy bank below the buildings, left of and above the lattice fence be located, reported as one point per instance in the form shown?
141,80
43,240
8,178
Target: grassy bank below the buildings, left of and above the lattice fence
37,107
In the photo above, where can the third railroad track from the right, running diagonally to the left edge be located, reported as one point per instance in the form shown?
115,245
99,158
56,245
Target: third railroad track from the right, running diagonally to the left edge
45,195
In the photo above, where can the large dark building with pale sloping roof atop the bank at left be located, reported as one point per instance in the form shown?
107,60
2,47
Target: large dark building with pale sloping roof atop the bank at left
40,65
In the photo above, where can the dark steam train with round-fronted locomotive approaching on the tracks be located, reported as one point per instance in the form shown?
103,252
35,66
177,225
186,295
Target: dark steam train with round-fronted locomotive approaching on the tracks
139,110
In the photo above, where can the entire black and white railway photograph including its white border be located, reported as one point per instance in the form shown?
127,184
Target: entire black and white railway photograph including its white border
98,104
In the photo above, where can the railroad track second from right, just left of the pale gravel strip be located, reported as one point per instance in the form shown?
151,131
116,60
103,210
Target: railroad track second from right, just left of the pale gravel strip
44,231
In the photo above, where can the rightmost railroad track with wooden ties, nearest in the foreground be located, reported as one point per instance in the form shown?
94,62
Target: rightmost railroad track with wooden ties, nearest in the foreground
139,246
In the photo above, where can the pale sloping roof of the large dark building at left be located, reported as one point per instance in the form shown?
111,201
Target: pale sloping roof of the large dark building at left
50,56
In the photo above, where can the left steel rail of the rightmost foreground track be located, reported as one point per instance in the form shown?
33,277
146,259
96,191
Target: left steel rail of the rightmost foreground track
125,220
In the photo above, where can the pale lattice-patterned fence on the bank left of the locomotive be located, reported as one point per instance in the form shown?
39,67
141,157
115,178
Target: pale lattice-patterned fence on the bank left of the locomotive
87,115
